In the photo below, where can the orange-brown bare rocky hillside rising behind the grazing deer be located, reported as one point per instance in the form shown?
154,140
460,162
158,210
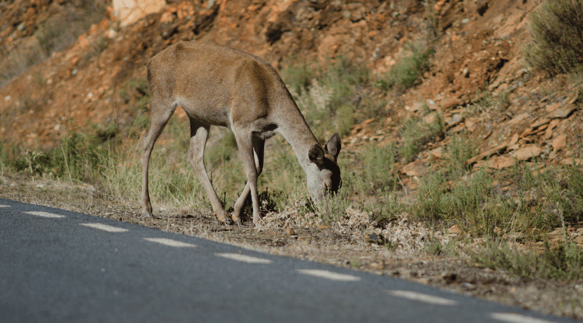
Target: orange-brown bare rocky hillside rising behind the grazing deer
477,50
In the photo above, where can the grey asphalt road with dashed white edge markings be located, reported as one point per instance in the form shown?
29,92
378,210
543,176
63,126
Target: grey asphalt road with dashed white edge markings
61,266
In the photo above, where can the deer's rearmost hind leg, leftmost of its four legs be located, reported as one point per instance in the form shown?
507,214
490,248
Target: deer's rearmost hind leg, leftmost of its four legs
161,113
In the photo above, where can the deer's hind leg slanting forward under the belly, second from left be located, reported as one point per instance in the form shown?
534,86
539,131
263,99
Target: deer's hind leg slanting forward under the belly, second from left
198,136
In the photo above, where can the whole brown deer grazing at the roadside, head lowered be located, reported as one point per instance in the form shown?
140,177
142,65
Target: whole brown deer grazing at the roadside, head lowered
221,86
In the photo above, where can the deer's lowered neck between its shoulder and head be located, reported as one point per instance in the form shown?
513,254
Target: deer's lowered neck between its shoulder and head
294,128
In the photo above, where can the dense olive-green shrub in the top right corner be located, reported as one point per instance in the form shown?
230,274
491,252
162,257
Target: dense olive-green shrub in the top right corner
556,44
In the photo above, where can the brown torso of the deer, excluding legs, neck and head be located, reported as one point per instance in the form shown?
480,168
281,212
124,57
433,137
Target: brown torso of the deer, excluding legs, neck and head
216,84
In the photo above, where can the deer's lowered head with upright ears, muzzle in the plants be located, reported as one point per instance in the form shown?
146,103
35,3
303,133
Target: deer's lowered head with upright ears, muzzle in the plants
324,175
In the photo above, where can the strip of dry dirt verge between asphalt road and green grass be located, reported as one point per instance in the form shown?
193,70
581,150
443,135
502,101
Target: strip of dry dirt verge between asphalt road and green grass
333,245
